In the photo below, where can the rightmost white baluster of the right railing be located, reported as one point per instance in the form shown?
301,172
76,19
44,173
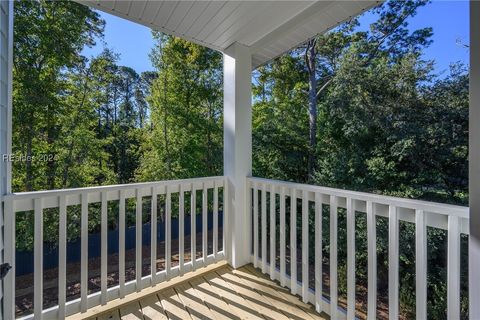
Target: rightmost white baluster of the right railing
453,269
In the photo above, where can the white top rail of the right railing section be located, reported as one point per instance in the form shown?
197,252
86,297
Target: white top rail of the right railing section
446,209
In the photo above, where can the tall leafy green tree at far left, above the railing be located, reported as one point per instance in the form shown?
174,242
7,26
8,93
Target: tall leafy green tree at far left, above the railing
49,36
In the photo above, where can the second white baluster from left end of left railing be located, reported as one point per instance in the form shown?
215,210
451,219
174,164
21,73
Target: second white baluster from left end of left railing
62,256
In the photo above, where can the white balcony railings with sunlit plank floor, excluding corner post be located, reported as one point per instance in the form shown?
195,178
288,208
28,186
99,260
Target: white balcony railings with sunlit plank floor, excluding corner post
284,218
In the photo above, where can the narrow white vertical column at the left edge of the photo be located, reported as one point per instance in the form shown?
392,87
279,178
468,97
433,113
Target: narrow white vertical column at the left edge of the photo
6,62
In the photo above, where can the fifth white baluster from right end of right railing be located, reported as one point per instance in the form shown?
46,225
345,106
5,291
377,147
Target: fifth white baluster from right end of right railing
350,260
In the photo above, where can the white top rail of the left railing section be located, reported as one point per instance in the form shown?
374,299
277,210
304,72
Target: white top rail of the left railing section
71,191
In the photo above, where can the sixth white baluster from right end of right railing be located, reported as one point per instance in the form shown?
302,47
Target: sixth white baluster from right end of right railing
333,257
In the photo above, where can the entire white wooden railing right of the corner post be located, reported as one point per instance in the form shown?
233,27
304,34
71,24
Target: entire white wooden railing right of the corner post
454,219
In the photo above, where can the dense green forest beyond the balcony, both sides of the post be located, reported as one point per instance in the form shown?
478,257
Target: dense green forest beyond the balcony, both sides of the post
353,108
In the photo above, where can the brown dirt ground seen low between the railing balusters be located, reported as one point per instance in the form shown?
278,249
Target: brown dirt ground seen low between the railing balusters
24,284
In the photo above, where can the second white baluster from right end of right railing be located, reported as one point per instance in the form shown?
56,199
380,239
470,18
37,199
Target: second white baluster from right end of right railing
421,264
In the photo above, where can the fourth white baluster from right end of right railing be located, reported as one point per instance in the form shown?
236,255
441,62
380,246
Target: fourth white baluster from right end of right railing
372,262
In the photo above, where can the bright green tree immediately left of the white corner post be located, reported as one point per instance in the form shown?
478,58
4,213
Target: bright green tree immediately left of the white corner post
186,112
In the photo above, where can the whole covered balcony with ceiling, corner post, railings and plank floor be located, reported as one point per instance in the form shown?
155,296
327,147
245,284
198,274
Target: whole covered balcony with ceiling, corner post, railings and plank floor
232,246
